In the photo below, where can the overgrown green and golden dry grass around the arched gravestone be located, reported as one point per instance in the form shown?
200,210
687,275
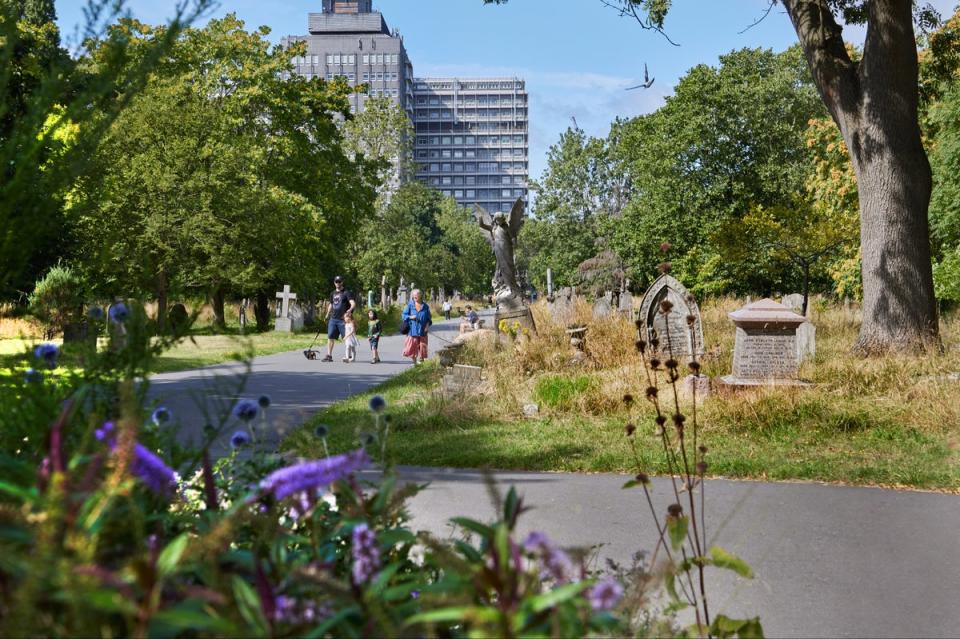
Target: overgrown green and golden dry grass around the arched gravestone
892,421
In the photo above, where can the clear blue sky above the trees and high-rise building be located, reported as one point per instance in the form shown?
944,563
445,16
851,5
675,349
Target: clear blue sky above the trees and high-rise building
576,55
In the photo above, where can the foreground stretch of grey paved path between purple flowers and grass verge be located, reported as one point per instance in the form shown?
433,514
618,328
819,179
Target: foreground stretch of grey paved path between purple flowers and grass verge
830,561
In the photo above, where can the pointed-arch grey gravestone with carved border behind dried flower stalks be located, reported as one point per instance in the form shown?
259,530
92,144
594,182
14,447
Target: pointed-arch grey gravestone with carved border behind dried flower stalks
682,342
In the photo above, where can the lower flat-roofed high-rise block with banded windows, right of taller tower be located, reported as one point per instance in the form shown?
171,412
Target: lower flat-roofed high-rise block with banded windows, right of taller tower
472,139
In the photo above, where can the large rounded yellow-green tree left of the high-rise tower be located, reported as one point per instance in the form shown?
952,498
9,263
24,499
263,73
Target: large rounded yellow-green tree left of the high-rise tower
237,181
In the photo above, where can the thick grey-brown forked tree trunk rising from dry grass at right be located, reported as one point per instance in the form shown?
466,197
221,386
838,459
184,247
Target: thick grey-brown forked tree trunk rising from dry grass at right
874,102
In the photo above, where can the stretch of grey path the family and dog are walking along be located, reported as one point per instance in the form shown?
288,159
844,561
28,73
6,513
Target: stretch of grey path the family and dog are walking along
297,387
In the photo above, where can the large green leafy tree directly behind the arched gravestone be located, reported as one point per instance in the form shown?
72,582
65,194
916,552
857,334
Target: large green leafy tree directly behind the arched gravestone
730,138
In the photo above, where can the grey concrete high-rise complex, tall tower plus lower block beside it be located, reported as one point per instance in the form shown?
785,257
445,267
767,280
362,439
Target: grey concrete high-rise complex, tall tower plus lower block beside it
472,134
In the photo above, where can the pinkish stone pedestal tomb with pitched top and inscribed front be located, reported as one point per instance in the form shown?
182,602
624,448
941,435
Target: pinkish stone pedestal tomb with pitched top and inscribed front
766,350
